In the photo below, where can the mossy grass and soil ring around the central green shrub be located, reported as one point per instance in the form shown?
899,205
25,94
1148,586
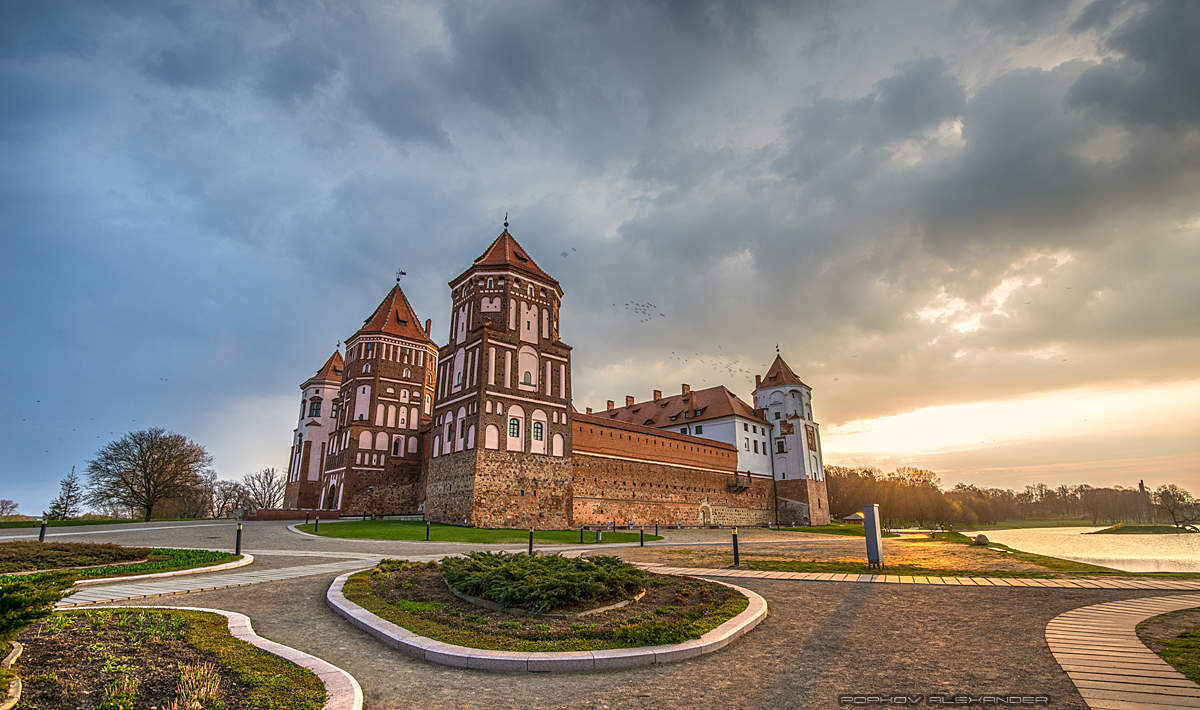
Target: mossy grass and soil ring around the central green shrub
415,595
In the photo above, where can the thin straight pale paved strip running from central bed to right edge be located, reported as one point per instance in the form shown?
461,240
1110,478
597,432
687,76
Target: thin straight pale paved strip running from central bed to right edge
1005,582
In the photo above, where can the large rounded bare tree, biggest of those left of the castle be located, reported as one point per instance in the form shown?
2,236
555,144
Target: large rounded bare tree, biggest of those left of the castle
145,468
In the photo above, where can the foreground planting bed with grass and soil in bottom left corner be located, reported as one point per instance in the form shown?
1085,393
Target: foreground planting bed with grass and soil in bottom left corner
153,658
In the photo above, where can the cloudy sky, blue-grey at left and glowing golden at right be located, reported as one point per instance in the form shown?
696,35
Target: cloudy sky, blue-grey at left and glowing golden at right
974,228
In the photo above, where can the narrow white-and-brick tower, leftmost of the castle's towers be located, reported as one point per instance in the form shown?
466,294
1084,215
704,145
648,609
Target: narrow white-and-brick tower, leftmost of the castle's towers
311,436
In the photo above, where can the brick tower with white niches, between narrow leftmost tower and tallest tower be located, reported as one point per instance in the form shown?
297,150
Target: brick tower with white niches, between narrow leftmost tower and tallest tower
375,455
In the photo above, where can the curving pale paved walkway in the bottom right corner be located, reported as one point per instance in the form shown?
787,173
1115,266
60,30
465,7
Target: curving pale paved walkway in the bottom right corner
1100,651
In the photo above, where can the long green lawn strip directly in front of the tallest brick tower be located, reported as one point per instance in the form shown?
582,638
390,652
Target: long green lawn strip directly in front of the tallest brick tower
443,533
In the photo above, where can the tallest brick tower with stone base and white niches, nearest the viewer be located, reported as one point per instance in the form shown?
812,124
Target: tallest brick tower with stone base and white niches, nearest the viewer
501,452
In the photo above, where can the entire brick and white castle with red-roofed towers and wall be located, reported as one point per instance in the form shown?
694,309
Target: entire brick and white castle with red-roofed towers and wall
483,432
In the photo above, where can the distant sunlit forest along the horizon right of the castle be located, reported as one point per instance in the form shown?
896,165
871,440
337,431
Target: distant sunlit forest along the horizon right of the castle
915,497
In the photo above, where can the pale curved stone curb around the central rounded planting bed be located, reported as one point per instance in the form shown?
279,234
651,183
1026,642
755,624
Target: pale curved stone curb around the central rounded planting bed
544,661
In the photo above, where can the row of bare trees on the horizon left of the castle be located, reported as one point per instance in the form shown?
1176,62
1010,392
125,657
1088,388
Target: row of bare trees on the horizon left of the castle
157,474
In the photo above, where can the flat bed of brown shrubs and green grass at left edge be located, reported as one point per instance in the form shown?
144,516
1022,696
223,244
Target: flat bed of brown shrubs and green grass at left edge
103,559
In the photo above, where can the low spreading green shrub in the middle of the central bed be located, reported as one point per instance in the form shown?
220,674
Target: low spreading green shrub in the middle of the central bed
543,583
